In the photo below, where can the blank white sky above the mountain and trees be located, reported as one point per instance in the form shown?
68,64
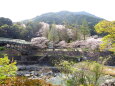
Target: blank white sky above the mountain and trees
18,10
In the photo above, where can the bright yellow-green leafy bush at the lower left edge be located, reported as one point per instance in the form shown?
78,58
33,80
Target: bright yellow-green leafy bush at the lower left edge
7,69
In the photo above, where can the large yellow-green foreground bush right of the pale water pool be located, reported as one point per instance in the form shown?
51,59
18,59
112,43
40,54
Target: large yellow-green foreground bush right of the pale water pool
82,74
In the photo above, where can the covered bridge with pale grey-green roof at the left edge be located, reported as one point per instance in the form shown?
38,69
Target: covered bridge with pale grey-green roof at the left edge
17,44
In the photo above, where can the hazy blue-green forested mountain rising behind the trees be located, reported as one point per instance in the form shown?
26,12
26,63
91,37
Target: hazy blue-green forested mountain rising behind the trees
67,17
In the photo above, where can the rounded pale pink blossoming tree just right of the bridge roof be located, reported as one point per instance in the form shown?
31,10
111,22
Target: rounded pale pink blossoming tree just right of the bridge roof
40,42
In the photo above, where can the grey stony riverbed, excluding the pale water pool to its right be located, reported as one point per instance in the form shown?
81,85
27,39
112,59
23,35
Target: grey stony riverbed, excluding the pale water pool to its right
37,71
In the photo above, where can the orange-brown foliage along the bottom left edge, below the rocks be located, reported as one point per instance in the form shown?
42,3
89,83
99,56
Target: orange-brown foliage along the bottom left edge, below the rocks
23,81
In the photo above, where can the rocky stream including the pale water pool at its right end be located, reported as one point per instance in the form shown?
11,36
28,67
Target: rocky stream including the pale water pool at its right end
49,73
